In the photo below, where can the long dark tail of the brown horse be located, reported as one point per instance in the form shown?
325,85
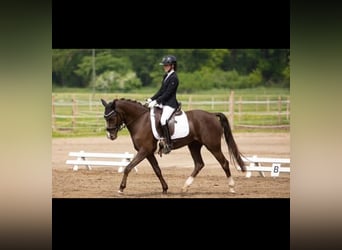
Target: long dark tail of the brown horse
232,146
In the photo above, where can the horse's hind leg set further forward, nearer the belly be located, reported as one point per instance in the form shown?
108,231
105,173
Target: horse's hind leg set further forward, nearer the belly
195,150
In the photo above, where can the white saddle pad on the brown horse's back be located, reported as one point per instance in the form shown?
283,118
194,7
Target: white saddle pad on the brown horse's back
181,126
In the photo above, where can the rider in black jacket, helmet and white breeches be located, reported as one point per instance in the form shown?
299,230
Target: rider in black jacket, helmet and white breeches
166,97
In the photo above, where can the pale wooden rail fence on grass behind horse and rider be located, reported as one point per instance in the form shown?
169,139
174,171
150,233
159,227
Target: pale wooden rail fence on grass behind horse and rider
87,115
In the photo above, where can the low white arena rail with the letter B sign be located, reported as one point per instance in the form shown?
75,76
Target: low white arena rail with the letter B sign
255,164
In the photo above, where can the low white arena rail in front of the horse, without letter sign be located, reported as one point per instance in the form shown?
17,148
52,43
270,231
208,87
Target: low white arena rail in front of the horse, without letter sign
85,158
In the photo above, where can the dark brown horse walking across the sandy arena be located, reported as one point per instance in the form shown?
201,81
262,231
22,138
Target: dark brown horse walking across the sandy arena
205,129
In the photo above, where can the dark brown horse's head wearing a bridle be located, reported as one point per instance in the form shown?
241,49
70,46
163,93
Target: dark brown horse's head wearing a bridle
113,119
